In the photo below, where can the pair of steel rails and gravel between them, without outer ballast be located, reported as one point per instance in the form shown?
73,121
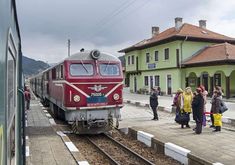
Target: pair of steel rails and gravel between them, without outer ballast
116,152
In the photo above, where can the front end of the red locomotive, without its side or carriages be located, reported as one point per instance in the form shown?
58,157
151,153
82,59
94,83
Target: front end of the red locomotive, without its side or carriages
92,91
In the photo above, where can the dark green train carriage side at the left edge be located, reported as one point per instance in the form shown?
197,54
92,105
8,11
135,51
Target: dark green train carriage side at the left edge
11,93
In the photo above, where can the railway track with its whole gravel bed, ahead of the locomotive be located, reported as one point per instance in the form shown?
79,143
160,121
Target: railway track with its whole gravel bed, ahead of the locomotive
103,149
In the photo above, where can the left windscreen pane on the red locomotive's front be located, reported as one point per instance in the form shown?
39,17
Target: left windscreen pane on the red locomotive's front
81,69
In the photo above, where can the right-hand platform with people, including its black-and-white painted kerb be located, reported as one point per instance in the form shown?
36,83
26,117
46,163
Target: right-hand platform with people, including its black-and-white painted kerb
184,145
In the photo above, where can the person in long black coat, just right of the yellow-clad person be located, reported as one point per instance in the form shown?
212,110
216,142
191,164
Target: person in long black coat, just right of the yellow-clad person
198,109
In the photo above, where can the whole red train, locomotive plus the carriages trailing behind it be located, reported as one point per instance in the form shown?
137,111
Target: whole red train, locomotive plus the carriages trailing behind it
85,89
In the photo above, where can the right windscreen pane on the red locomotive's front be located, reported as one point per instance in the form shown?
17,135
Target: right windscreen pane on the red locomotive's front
109,69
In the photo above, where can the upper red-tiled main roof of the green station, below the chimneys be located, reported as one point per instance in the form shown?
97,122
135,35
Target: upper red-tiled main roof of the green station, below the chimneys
186,30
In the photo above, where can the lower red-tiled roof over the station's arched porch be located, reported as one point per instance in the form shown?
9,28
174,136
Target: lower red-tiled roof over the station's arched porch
214,53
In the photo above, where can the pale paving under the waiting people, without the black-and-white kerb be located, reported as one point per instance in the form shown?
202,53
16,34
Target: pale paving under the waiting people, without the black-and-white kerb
211,146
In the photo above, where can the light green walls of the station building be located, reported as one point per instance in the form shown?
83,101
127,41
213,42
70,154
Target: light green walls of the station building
169,67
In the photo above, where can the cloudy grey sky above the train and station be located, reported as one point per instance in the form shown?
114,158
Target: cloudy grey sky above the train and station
109,25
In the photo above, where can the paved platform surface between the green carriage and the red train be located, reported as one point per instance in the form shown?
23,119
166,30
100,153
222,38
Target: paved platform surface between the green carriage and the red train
43,145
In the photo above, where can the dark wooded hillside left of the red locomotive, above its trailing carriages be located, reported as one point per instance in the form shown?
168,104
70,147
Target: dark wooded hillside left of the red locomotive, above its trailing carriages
32,67
